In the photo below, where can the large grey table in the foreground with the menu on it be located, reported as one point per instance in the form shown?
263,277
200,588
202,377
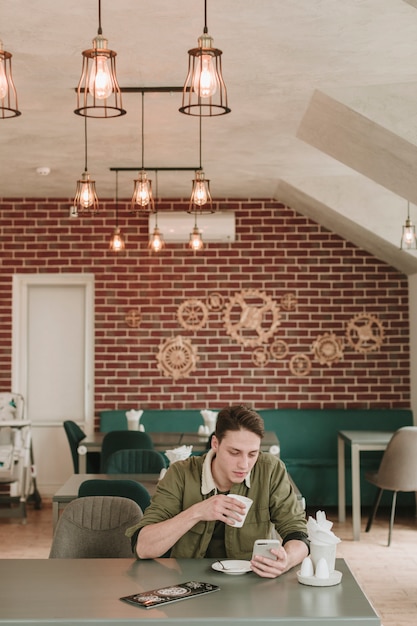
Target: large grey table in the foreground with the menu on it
86,592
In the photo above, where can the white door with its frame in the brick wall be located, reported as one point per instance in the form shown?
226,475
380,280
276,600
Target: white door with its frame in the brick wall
53,365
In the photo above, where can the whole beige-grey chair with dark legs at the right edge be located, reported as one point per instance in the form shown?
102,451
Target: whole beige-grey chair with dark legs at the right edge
397,471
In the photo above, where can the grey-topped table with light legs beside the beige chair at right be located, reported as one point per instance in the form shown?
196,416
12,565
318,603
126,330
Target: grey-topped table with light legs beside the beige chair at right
358,441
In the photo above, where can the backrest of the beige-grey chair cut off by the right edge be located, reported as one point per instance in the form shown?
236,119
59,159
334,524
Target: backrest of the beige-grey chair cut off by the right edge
398,467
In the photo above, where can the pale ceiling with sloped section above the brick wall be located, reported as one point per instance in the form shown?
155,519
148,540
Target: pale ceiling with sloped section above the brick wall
323,96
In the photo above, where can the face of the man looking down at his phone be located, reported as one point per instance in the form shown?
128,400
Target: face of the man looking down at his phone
236,454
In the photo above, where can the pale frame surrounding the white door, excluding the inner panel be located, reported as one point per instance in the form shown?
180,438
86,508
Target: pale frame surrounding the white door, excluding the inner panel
21,286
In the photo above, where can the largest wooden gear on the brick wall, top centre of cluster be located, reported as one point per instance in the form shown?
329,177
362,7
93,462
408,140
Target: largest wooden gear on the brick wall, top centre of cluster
251,317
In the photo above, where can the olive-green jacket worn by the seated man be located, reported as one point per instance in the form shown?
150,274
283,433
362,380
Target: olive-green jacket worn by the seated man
275,506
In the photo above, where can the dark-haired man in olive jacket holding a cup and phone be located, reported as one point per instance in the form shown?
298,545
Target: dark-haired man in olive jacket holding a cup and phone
191,517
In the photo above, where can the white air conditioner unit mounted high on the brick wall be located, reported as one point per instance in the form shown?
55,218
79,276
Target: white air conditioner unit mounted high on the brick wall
176,227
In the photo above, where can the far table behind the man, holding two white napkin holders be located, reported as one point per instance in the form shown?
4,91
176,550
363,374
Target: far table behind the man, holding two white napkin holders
165,441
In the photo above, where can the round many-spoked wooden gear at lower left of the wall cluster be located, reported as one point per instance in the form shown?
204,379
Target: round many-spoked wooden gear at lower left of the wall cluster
177,358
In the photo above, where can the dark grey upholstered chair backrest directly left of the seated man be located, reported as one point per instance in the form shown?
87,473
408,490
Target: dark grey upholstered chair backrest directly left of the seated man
94,528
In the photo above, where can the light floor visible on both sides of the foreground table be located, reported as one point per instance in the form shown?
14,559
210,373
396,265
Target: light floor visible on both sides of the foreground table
387,575
